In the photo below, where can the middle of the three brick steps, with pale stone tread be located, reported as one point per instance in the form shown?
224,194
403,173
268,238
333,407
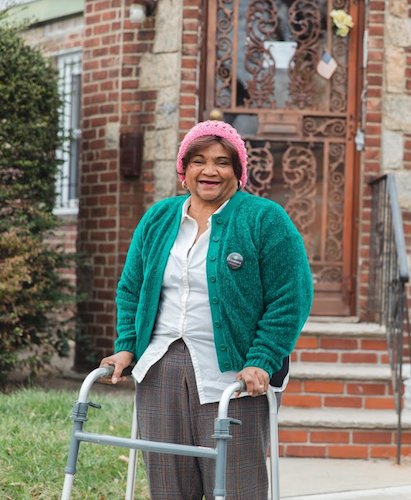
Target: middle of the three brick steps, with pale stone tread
324,385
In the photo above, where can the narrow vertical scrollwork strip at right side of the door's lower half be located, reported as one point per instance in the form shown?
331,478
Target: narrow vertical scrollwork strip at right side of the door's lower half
335,203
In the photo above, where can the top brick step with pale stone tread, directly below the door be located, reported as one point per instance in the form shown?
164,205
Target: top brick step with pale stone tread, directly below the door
338,342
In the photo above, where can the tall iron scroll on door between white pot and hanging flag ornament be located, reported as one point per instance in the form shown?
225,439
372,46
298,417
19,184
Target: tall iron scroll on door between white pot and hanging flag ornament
304,18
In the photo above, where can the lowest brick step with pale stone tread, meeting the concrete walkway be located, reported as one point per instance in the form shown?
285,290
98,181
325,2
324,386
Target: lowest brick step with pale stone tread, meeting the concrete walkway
342,433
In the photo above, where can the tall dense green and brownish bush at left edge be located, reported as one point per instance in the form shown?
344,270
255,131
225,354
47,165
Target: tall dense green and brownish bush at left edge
33,294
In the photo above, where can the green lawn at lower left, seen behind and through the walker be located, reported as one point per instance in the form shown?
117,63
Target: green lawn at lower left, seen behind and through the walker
35,430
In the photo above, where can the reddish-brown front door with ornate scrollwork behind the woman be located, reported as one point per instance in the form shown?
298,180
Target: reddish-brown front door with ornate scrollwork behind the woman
299,127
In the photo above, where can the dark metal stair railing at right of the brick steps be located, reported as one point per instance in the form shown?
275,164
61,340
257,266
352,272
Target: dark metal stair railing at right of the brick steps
387,299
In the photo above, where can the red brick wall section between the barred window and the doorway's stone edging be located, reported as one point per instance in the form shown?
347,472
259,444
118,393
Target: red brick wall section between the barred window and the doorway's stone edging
110,204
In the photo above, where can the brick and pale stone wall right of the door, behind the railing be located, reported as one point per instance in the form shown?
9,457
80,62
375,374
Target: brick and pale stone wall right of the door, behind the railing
388,139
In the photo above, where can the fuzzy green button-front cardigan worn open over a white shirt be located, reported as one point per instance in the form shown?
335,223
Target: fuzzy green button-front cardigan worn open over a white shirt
258,310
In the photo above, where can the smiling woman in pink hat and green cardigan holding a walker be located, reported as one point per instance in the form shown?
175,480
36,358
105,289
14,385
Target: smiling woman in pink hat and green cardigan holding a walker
216,287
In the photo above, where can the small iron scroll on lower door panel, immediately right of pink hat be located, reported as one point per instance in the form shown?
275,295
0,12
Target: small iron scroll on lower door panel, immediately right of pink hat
260,169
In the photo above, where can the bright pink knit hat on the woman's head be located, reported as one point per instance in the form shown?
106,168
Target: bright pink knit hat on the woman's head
220,129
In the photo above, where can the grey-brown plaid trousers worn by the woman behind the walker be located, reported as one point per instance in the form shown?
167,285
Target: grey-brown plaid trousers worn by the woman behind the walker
169,410
